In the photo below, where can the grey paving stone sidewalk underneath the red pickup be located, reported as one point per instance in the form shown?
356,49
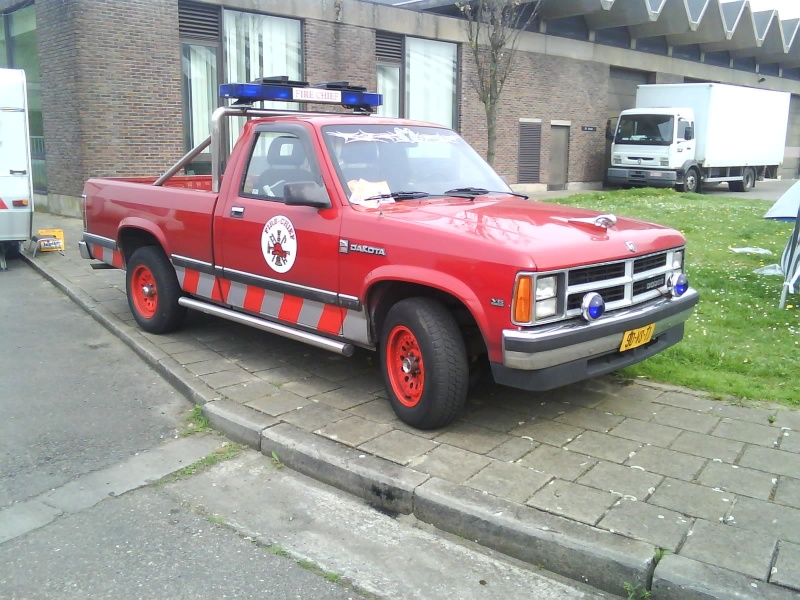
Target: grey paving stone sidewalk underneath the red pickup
575,479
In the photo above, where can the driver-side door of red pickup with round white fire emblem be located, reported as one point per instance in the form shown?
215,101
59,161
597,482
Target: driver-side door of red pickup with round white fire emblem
277,260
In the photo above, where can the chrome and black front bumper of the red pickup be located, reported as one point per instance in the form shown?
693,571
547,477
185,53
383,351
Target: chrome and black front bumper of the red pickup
548,357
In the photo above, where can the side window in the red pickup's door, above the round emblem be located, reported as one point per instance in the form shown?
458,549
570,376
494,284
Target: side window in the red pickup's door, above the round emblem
277,158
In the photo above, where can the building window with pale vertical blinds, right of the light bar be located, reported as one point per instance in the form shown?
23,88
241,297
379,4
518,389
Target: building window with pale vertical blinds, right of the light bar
418,78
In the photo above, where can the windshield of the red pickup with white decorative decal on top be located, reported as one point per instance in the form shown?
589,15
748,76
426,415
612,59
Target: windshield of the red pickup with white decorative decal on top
375,159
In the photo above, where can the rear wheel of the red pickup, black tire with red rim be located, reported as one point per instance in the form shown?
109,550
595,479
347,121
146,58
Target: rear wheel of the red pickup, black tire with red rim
153,291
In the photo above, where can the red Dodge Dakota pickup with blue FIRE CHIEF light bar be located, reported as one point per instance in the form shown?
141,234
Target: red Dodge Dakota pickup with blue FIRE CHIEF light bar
393,235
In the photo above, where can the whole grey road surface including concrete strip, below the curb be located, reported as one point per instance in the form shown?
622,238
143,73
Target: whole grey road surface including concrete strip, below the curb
87,436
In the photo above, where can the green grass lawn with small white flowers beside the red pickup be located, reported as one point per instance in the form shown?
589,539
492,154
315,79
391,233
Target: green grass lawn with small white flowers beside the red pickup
738,343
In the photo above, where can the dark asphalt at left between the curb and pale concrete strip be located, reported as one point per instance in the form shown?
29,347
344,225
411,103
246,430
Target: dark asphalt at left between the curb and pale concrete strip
74,399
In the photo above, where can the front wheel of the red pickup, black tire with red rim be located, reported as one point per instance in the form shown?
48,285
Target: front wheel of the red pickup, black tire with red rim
420,335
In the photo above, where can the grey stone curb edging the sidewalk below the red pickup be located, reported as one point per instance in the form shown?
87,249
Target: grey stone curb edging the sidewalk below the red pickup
602,559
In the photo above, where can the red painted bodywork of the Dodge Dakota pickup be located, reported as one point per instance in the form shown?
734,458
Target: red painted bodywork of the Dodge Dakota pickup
471,249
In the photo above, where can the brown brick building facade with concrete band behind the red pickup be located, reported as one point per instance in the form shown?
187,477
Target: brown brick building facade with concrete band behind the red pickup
113,83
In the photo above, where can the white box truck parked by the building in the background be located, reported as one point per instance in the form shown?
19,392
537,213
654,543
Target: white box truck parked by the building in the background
686,134
